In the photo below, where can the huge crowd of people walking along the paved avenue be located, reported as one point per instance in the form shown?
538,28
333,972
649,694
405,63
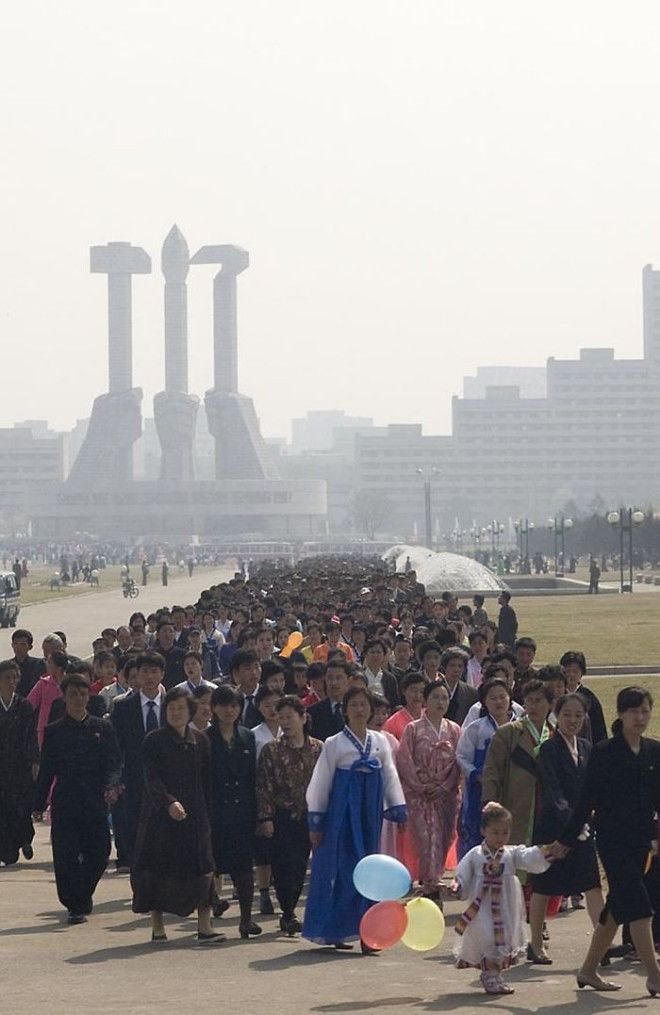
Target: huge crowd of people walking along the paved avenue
328,714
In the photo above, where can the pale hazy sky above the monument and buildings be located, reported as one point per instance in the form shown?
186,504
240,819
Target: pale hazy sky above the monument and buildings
424,187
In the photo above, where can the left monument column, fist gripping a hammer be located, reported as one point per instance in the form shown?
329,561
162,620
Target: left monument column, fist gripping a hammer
106,458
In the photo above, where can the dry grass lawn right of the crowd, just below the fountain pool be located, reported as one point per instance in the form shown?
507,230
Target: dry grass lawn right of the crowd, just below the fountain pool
612,631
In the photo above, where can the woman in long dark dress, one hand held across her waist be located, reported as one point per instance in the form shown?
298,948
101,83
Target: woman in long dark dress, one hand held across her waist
173,869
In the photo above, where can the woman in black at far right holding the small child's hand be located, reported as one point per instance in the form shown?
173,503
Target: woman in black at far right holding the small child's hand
622,790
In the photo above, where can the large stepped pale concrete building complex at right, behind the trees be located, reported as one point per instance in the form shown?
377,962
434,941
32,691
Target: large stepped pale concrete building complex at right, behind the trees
593,431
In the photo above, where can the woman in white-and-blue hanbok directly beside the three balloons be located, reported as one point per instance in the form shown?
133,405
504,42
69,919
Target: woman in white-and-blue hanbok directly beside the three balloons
355,785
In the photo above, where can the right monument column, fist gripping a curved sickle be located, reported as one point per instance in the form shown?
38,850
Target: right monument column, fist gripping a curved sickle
240,449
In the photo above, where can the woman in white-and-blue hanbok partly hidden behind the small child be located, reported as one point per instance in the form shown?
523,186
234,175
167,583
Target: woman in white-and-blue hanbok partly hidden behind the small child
471,755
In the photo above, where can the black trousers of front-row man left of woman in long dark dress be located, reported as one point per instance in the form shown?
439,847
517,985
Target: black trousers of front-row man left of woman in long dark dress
81,852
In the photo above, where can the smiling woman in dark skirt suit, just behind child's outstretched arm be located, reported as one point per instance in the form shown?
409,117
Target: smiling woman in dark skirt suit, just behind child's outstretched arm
562,768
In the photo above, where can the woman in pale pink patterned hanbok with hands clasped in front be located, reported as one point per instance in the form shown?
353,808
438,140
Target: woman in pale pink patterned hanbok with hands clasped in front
431,777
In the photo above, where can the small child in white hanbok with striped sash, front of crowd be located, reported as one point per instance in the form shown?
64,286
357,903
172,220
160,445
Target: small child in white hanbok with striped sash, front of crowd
491,935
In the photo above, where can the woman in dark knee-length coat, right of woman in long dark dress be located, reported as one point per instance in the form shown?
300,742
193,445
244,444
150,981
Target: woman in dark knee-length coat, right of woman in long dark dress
234,799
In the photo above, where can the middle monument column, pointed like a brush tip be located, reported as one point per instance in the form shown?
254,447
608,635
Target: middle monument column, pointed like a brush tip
175,412
